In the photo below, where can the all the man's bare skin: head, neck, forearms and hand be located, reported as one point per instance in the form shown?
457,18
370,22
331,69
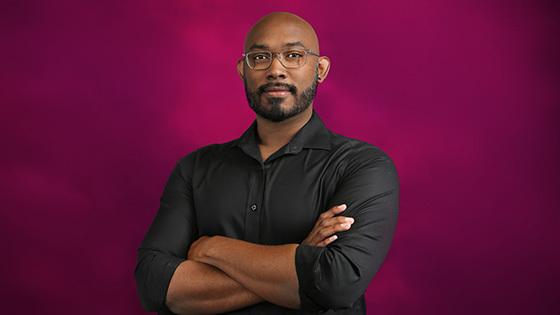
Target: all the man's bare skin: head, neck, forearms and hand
222,274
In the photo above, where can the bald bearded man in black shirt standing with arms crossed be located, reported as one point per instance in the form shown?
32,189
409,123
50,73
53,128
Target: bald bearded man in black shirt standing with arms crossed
254,226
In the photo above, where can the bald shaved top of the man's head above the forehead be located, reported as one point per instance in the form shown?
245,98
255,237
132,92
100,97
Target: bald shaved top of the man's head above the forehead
287,22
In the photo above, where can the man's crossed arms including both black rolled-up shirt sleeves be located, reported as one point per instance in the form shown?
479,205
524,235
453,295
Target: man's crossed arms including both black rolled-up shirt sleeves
219,274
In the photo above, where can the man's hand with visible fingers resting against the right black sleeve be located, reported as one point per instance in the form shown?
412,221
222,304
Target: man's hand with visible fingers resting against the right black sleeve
327,224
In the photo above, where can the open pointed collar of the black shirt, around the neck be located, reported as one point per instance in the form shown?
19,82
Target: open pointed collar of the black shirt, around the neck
313,135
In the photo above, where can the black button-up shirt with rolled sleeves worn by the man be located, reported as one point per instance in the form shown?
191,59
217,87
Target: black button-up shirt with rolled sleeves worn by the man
226,189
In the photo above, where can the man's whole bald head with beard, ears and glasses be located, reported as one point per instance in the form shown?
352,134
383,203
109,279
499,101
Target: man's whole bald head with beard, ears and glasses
278,92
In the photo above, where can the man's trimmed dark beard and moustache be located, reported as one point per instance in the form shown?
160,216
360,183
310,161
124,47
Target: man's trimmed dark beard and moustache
274,111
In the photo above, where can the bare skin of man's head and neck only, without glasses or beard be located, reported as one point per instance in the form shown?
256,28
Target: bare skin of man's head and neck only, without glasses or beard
274,31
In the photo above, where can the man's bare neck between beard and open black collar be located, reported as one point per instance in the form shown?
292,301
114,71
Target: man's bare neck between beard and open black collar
276,134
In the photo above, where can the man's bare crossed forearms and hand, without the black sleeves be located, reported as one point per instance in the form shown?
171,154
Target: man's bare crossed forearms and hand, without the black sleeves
222,273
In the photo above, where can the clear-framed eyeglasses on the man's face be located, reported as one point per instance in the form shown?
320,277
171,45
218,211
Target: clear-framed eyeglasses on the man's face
291,58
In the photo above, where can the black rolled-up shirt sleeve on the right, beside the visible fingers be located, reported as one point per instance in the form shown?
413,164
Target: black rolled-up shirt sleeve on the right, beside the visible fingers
337,275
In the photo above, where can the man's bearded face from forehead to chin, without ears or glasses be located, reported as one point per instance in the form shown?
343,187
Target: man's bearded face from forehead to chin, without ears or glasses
263,88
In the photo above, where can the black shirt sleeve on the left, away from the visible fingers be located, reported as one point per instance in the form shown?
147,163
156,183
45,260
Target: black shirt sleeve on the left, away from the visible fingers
166,243
